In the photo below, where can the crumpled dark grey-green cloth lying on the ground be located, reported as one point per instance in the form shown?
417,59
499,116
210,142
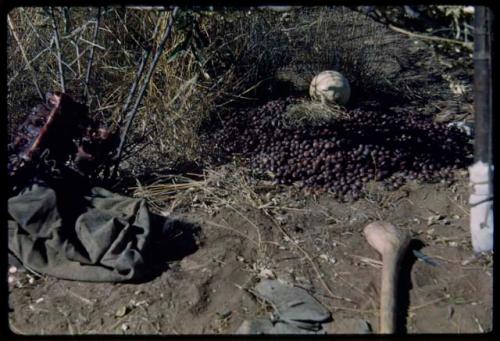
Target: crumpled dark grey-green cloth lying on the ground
92,235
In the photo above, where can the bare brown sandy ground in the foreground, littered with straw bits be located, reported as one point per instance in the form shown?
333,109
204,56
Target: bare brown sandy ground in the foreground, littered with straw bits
310,241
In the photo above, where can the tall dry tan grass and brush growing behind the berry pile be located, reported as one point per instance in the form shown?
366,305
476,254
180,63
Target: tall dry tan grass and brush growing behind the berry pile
212,61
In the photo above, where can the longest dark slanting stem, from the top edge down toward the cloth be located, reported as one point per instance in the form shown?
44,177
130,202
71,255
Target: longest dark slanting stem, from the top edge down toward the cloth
131,114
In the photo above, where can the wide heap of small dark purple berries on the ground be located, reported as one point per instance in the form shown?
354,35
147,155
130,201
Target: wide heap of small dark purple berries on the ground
343,155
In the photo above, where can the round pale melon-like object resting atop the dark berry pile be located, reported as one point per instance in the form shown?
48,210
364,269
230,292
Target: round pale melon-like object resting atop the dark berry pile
330,86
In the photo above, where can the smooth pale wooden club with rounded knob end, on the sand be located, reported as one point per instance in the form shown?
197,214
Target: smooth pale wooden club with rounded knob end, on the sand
392,244
